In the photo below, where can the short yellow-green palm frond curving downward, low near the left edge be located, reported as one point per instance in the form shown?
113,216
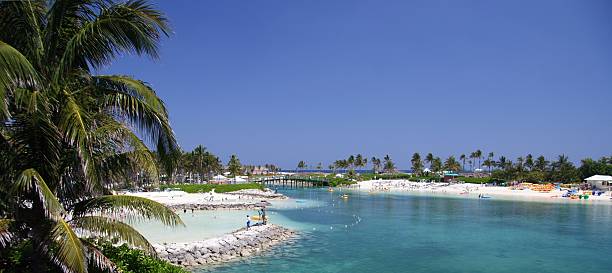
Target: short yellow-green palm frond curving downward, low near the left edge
30,181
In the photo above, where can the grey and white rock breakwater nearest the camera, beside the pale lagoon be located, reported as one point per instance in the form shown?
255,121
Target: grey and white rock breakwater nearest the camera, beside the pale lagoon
241,243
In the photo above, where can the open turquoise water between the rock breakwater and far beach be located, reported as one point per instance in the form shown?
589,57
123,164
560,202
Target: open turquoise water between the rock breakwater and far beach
413,233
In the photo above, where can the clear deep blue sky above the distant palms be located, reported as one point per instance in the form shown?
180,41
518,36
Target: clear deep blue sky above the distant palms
282,81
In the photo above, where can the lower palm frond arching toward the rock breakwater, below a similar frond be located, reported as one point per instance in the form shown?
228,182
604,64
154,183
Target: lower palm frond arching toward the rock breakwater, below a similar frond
111,229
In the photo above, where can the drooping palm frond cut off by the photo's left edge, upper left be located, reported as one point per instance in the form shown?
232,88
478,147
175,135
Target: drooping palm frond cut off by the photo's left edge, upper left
15,71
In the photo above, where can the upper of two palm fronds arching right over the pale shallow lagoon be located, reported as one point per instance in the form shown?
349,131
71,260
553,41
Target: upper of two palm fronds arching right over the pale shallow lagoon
139,206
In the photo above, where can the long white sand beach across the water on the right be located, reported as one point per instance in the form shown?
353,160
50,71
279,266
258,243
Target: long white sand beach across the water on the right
467,190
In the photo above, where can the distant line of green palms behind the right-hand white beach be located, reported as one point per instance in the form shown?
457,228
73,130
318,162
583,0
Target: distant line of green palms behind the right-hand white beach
526,168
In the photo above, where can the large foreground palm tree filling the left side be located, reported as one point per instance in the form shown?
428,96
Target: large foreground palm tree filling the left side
68,135
